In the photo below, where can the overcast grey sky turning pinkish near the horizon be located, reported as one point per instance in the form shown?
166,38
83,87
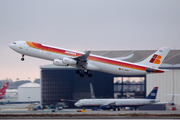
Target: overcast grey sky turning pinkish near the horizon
84,25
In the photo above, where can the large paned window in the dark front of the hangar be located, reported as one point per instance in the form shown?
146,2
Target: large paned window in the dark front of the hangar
129,87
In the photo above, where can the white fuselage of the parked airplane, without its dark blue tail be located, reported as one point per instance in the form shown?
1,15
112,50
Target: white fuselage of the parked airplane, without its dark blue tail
117,102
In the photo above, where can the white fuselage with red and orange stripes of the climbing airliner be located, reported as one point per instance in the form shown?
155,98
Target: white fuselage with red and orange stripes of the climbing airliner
94,62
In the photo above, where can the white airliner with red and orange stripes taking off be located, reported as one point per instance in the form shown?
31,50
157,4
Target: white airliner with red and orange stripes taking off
86,61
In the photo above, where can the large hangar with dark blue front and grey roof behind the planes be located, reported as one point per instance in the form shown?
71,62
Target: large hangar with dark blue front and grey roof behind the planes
62,83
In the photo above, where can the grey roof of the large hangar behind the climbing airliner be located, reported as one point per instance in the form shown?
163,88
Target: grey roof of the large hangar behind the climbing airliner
172,60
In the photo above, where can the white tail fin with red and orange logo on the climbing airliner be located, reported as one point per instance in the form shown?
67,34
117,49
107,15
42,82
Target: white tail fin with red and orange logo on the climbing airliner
155,60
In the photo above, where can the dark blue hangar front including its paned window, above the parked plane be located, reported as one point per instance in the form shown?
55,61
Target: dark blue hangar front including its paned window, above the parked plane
59,83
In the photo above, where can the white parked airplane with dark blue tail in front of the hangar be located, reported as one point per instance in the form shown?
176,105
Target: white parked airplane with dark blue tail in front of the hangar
117,103
